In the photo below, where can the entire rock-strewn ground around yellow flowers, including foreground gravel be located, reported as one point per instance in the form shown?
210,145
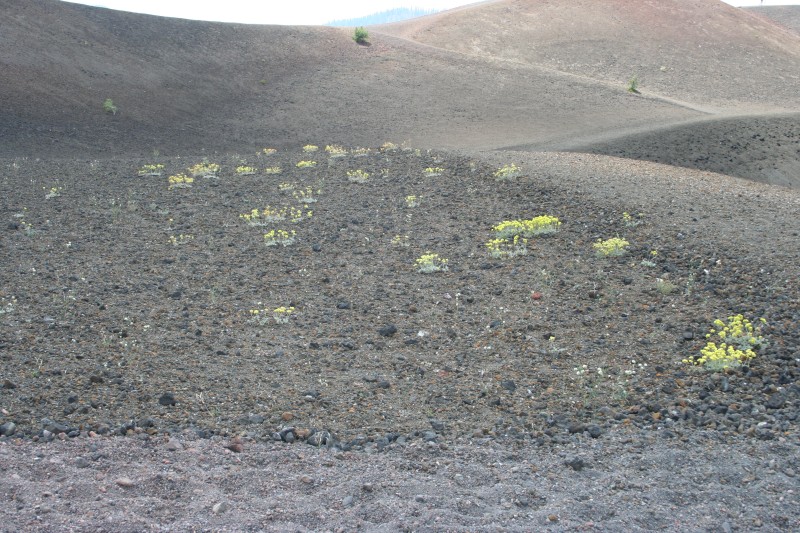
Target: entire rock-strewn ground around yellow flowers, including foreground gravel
112,327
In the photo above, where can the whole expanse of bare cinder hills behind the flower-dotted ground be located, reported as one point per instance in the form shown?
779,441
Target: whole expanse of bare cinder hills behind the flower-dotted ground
531,75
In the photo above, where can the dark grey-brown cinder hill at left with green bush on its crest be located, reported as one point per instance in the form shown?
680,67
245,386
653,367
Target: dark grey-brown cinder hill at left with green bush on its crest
181,84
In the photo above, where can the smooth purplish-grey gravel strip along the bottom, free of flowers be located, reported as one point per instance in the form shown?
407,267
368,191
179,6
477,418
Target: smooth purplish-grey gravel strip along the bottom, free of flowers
627,482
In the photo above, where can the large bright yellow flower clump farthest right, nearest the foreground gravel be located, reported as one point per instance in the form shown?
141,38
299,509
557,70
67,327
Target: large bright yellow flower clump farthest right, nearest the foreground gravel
739,341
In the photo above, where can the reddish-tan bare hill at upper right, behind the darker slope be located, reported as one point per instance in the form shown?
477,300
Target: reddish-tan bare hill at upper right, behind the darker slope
701,51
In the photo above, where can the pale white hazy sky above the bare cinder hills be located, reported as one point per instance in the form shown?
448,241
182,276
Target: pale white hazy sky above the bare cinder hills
297,12
